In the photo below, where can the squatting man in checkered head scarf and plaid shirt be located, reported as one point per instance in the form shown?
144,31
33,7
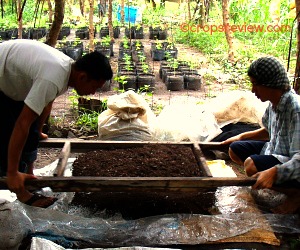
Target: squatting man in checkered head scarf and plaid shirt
271,153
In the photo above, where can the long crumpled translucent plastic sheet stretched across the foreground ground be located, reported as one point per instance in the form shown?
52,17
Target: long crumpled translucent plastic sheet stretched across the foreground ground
71,231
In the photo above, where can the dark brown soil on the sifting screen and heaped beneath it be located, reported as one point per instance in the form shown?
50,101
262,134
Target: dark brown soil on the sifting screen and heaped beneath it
146,161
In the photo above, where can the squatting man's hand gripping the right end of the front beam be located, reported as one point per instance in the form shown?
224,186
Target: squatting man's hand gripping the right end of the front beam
265,179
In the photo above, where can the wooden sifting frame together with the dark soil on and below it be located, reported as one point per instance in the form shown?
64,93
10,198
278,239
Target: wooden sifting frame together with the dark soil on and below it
137,179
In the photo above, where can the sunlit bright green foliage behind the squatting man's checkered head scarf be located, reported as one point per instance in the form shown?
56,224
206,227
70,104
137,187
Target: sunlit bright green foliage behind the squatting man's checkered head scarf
248,44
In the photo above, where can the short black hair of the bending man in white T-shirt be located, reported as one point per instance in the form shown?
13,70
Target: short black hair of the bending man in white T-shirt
96,65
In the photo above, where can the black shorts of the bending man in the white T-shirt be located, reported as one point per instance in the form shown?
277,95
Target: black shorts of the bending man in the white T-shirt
10,111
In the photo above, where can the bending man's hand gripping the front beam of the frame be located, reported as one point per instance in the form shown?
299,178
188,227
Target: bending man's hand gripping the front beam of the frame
15,182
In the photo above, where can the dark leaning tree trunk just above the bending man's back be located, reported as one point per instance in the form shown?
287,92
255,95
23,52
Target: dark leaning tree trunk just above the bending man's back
57,22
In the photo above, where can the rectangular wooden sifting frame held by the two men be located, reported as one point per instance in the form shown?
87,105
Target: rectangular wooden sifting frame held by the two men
60,183
